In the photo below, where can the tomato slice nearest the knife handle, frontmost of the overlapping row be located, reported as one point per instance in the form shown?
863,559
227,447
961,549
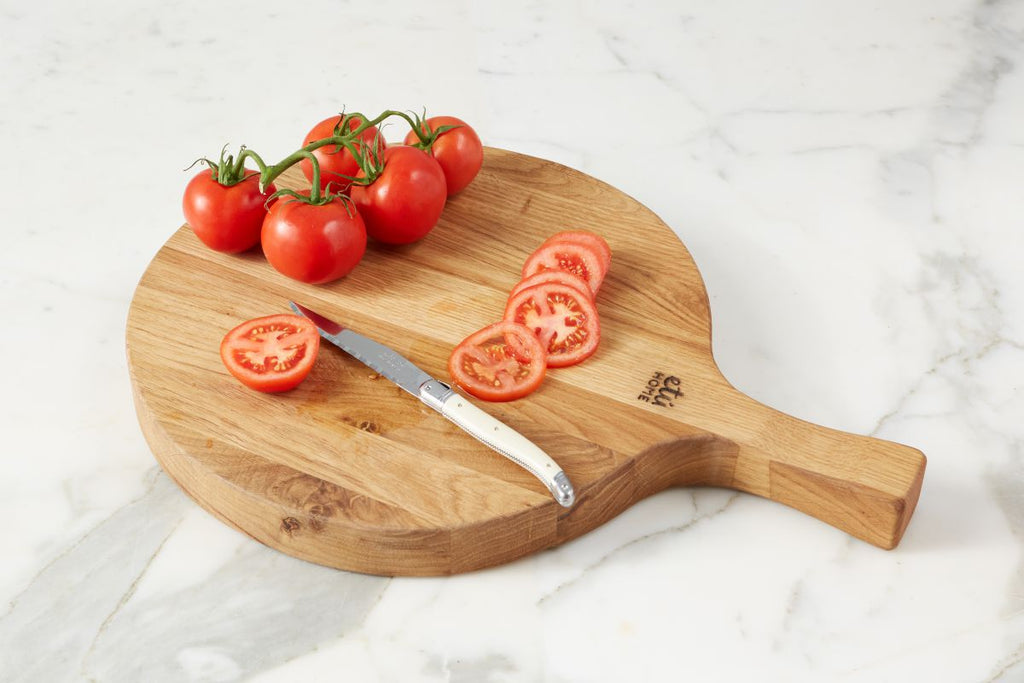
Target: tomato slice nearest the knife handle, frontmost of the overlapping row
502,362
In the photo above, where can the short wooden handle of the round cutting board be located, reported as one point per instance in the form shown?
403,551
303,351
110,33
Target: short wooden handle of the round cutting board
866,487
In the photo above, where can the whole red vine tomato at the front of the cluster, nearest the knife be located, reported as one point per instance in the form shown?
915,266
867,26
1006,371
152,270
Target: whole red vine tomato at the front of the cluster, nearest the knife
314,244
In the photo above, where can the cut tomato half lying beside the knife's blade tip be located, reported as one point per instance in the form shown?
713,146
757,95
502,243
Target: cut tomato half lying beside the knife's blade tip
271,354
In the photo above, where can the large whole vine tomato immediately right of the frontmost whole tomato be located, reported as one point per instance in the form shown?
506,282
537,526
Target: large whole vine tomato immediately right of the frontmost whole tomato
404,204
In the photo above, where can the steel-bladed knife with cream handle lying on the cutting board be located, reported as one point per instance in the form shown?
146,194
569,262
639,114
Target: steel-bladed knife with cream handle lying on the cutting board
443,399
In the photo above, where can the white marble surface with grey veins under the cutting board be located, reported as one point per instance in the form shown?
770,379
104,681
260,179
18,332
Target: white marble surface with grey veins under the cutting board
849,178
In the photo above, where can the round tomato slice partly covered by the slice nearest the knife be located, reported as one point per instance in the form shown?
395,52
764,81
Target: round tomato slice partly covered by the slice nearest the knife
564,319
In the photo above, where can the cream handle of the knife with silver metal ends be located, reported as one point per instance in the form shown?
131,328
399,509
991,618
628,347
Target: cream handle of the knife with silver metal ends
500,438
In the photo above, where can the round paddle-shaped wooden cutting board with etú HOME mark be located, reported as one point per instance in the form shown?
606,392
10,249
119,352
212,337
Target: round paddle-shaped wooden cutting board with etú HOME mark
350,472
